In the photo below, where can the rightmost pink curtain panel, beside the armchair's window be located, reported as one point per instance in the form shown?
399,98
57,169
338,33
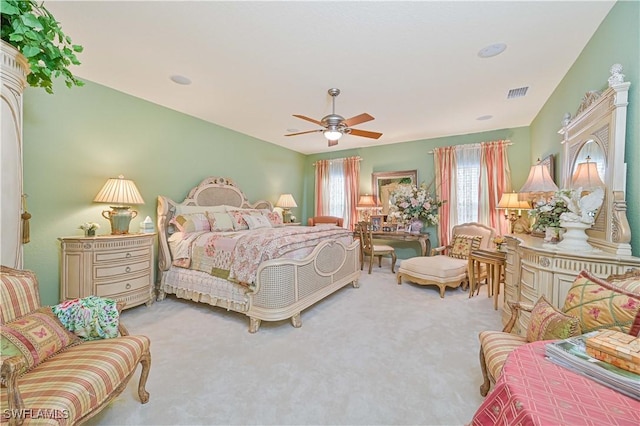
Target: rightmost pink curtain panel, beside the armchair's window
495,180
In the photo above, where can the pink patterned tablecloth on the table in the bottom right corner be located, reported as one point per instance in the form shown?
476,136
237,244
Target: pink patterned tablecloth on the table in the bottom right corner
534,391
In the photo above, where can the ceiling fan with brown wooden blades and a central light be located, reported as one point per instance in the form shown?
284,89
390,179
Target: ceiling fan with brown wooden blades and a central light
334,125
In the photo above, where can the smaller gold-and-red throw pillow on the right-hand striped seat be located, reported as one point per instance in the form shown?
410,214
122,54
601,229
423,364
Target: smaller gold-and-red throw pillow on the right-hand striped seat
548,323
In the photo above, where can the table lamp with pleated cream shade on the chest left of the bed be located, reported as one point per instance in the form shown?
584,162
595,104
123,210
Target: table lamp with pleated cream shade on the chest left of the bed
123,192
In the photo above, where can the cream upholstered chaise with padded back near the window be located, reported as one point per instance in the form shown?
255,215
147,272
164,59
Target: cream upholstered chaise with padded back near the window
447,266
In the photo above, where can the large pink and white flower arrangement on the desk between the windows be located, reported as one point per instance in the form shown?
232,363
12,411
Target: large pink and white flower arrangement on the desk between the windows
414,202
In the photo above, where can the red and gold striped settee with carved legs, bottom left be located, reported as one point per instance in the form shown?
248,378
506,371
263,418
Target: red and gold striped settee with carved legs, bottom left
73,383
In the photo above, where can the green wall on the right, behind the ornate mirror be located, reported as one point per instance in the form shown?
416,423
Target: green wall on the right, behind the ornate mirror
617,40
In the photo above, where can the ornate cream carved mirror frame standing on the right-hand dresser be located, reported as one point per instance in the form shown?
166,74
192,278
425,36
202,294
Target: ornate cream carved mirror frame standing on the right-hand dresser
602,117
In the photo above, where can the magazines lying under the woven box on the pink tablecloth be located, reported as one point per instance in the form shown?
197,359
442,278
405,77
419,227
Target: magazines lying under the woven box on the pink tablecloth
571,353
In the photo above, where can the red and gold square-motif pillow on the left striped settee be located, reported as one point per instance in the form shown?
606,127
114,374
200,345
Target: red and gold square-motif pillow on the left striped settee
35,337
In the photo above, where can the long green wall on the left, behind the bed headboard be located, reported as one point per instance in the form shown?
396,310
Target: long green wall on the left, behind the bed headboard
75,139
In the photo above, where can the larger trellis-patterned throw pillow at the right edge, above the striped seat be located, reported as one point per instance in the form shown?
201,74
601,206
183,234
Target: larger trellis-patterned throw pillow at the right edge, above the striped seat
599,304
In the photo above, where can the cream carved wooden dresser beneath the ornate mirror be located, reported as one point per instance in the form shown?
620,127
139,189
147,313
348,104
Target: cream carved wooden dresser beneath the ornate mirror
533,268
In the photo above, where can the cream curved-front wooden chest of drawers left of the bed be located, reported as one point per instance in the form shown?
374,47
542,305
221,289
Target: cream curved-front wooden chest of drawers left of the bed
115,266
